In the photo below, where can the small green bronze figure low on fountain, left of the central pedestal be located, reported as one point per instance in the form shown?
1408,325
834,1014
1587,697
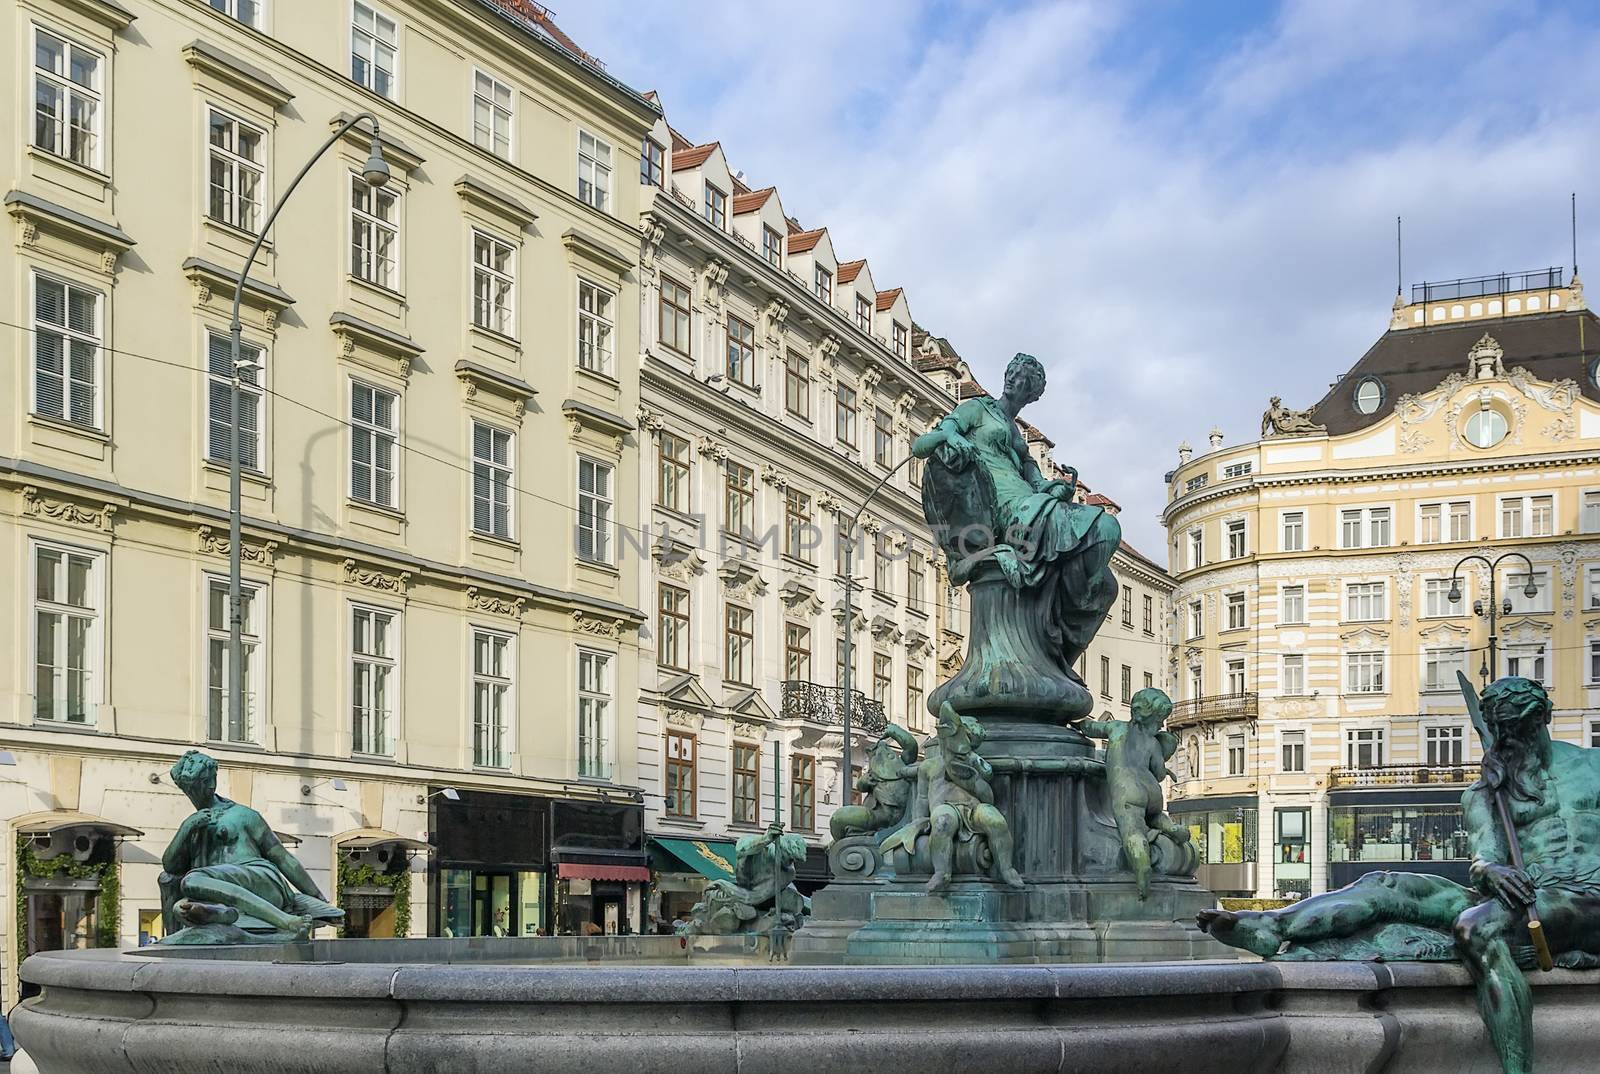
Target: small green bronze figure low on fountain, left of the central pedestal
761,897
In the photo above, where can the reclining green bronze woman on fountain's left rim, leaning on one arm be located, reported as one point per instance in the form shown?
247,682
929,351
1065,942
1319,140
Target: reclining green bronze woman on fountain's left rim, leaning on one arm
226,878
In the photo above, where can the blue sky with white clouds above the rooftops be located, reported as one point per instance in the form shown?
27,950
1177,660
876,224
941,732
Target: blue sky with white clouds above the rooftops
1183,209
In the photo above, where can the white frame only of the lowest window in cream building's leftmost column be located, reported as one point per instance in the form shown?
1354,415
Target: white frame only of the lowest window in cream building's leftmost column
95,635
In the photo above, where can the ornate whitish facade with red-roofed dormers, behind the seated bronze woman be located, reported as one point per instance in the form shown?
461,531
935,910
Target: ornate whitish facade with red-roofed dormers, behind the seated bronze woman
780,393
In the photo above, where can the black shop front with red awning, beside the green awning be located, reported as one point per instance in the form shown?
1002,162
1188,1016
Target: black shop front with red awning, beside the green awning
599,867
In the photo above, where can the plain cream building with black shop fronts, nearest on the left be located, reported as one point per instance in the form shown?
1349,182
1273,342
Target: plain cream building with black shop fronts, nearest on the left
439,455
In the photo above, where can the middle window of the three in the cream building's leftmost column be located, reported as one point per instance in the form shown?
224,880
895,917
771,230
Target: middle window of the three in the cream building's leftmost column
66,353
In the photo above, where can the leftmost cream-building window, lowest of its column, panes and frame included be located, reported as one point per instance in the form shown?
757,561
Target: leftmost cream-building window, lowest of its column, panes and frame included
66,635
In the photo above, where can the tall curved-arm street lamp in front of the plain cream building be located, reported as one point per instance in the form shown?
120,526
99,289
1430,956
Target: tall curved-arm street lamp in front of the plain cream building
377,174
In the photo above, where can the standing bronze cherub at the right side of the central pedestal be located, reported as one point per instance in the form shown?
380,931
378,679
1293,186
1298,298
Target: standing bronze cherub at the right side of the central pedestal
1137,755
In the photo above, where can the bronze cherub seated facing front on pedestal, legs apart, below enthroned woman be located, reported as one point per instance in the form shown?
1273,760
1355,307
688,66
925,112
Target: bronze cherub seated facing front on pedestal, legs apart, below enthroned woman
956,803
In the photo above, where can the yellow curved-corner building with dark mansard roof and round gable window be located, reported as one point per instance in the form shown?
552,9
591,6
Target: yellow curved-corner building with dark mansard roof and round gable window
1321,619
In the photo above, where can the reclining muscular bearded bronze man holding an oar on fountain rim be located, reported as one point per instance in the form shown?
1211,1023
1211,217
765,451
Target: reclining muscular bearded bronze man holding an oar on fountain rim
1550,791
